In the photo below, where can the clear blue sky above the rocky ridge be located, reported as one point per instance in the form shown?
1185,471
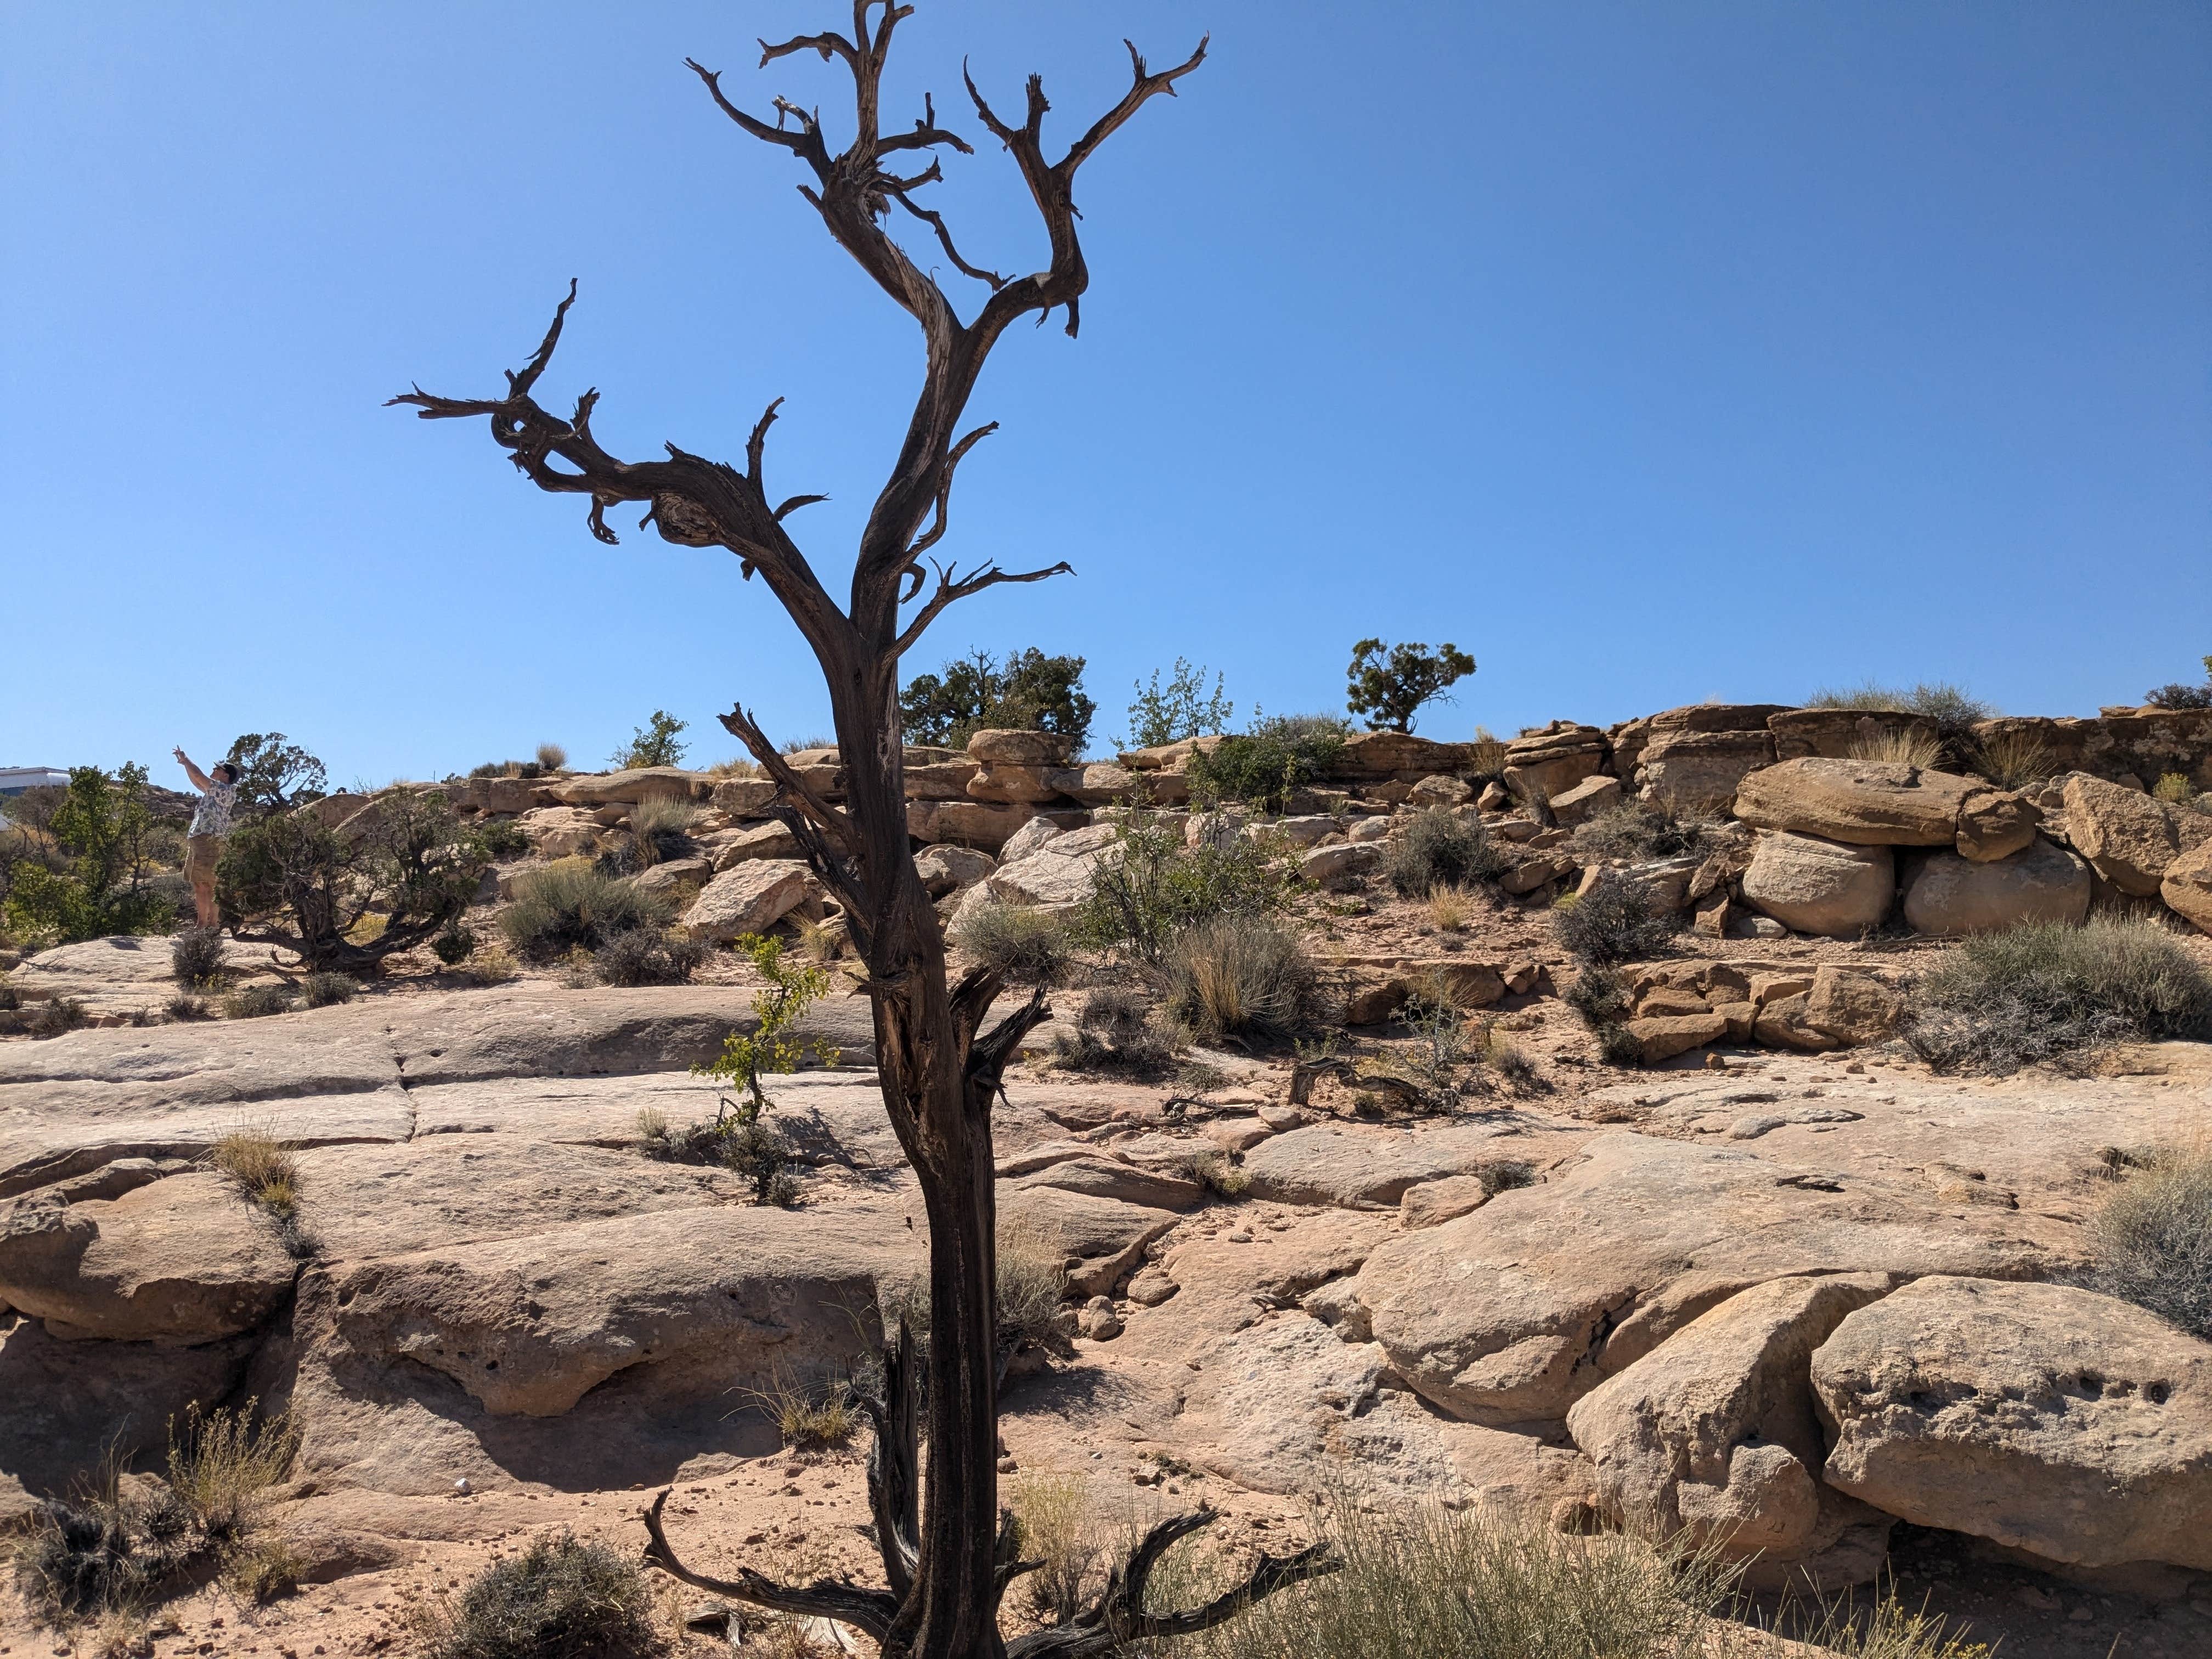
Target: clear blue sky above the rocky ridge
1651,353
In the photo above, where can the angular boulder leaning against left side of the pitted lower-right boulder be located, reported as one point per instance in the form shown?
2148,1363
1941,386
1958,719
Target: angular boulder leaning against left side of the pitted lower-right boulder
1713,1434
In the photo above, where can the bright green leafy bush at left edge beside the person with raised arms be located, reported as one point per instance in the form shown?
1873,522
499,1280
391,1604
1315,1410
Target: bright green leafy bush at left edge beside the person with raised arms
96,855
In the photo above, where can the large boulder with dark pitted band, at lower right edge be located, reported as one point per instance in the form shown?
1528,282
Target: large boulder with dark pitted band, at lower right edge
2041,1417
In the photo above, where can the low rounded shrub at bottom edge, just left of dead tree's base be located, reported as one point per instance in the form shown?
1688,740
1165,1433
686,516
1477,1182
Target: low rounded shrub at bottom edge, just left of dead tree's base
556,1600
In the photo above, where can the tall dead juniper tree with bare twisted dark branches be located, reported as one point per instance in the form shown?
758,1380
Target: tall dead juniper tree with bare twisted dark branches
946,1547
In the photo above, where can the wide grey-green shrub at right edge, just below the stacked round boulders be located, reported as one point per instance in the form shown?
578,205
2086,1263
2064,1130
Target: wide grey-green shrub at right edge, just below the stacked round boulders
2030,994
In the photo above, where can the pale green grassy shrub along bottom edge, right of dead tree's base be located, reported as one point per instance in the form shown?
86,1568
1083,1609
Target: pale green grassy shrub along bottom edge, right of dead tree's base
1423,1583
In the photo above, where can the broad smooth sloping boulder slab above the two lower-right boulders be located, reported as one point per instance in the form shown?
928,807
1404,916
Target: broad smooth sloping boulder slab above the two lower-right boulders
1514,1313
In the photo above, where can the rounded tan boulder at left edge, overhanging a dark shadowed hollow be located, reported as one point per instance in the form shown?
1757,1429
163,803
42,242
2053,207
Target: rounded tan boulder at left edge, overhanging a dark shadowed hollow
180,1260
